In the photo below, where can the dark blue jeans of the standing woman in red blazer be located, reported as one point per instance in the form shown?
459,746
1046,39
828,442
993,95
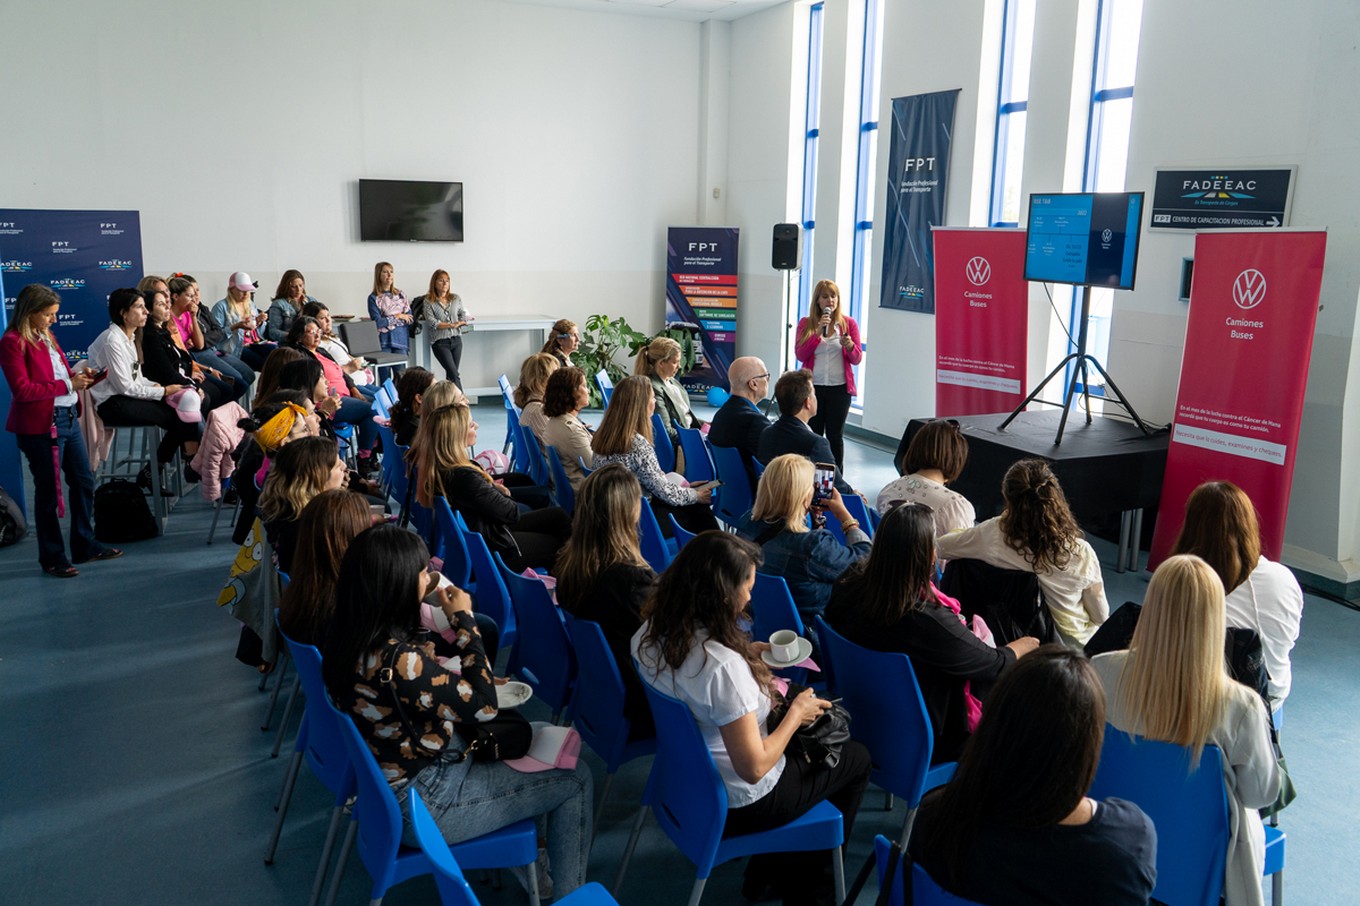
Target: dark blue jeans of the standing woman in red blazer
75,463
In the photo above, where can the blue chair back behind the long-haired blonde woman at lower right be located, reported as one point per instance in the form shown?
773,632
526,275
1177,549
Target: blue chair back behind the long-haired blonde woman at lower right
1189,810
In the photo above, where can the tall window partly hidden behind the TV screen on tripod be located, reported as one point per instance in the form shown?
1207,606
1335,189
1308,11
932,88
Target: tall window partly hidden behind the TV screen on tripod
1119,25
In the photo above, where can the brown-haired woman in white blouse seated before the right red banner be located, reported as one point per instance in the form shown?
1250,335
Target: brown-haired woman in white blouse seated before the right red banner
1222,528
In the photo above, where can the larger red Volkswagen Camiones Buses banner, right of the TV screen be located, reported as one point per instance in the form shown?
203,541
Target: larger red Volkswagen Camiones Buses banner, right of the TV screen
1253,308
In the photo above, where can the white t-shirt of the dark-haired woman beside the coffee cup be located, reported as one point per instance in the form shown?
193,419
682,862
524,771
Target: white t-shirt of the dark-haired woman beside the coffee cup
717,686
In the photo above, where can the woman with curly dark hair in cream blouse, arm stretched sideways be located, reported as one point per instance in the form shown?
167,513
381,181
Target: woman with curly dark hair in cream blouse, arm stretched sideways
1038,534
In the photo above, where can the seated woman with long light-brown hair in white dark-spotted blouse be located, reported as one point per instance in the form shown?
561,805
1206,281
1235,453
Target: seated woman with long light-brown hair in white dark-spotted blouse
625,436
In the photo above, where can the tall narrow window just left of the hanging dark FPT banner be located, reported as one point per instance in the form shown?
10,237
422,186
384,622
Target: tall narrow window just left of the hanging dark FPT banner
867,160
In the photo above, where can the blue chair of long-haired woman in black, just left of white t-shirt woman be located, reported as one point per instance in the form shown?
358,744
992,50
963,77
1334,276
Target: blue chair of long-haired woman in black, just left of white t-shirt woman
598,707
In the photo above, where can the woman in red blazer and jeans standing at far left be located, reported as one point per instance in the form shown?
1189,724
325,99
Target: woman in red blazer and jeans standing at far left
44,420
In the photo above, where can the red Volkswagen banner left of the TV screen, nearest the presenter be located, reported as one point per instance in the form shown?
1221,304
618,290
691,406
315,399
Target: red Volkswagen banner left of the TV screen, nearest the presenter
983,320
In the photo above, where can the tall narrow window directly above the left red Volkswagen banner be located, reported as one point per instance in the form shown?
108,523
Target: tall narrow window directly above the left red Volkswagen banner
1013,107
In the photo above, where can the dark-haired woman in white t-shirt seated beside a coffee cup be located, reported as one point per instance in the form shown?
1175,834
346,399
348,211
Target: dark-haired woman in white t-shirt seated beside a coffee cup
693,648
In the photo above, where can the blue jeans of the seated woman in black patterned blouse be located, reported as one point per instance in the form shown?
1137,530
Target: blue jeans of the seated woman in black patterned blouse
473,799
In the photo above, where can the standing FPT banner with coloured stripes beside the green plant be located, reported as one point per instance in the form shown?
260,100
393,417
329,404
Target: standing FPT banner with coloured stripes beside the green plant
702,297
